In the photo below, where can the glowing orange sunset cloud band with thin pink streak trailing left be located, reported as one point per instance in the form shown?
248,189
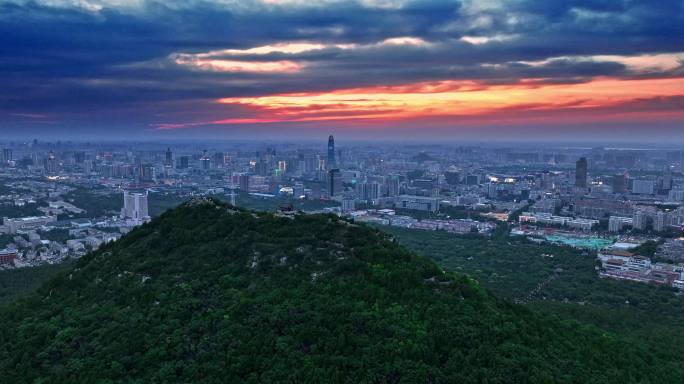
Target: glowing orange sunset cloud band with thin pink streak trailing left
462,101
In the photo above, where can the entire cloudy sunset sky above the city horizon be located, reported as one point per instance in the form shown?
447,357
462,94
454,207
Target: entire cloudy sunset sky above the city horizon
439,70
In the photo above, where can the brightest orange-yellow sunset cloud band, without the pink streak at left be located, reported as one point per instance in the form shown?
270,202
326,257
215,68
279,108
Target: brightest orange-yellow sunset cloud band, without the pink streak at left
453,98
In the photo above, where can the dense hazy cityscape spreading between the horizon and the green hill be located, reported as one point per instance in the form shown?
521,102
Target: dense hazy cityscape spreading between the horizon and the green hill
62,199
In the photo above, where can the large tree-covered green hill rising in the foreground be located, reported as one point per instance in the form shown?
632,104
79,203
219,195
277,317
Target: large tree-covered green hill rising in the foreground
210,293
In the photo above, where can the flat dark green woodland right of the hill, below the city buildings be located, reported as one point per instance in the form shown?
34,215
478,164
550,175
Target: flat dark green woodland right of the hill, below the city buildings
560,281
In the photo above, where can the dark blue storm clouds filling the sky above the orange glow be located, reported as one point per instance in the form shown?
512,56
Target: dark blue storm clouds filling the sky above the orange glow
78,64
